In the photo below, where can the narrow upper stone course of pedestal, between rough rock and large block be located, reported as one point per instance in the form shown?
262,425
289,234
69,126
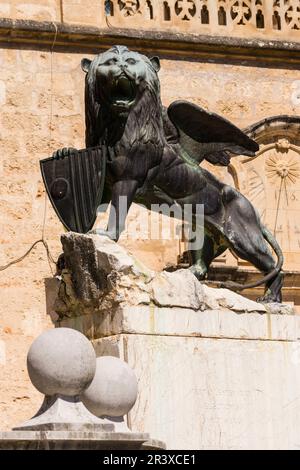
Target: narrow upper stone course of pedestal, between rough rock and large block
178,321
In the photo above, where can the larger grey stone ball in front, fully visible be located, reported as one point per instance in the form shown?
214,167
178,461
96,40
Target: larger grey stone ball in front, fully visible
61,361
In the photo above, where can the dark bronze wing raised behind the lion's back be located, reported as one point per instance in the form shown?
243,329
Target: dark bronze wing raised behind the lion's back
207,136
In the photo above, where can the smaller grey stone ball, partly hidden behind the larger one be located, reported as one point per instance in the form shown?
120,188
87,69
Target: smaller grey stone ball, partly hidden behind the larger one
113,391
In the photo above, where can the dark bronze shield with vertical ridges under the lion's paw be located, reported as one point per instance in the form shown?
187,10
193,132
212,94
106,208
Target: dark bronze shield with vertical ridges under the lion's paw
74,184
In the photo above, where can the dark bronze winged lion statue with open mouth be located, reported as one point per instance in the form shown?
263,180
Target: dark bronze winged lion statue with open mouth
152,155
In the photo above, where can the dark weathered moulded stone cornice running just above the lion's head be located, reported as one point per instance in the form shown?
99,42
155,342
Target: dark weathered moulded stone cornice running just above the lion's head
78,37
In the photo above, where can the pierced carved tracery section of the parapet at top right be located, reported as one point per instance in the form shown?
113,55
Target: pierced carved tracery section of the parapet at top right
271,19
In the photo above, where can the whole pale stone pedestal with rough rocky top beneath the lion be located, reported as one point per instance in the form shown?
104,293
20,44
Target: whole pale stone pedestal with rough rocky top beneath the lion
215,370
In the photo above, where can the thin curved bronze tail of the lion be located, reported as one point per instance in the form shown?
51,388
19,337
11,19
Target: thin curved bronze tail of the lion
274,244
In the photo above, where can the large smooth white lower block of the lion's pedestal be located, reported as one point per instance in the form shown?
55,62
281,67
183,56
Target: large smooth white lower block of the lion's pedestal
213,393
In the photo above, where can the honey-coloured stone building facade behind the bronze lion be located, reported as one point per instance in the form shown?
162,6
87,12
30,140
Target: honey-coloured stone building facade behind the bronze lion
238,58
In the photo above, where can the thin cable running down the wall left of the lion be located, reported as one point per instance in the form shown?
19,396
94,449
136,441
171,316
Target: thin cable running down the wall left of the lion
42,240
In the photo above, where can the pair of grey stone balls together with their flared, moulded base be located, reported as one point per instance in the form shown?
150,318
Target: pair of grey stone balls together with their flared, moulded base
62,365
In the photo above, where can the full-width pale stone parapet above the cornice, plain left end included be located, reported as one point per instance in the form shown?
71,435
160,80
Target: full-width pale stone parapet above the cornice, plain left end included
250,19
